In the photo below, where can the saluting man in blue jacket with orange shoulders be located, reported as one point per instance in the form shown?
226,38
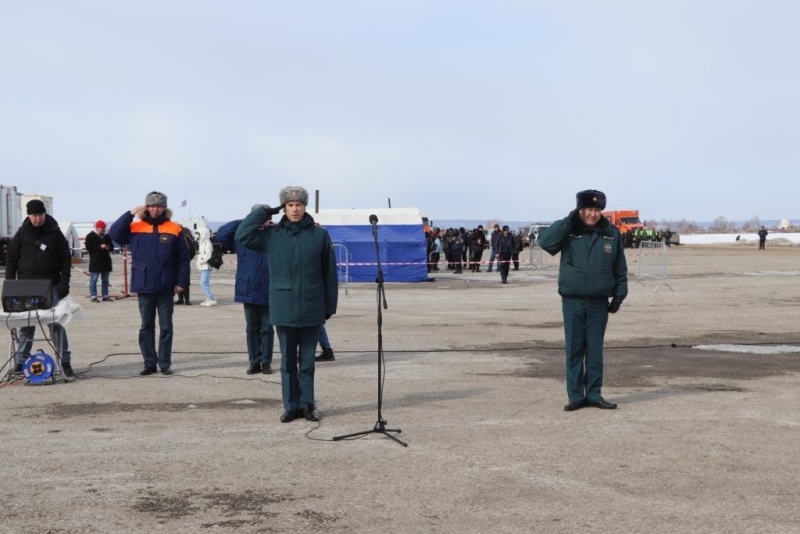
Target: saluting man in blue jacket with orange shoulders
160,269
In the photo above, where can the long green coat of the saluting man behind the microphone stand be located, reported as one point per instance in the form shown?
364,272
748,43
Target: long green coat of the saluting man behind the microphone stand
303,288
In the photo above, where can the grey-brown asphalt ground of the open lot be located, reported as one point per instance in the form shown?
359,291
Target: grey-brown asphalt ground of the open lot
702,441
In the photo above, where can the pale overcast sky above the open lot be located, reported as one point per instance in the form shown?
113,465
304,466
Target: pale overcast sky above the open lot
502,109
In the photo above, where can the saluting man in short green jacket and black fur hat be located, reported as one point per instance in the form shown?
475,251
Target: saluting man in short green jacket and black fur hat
592,270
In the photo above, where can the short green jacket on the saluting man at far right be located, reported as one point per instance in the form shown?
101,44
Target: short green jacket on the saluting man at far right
592,261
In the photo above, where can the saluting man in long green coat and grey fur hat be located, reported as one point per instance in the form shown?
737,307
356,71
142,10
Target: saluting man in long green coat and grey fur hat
303,291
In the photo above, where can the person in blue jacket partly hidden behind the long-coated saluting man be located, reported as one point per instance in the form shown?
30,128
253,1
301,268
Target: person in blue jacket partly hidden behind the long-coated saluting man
252,290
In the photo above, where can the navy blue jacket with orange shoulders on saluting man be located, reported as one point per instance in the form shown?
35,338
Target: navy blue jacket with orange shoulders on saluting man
160,256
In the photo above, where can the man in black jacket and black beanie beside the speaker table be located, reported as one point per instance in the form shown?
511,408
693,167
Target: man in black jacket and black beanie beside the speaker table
39,251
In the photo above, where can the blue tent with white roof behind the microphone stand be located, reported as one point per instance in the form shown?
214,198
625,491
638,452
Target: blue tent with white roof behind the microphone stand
401,240
